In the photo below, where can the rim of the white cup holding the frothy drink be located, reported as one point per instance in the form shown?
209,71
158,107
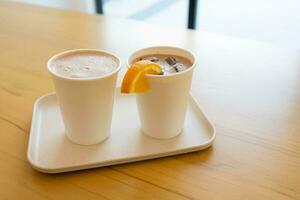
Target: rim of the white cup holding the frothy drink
63,53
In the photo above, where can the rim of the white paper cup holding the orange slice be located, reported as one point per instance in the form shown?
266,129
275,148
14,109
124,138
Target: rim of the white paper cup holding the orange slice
168,75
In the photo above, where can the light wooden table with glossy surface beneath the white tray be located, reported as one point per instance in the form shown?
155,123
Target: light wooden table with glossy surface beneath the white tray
250,90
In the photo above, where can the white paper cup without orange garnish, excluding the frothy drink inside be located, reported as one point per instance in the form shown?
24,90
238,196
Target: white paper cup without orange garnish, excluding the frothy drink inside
86,103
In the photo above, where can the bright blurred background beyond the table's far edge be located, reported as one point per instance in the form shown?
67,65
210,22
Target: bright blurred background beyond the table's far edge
272,21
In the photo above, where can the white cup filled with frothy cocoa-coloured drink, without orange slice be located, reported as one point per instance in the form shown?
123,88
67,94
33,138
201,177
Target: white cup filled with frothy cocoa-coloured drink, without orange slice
85,82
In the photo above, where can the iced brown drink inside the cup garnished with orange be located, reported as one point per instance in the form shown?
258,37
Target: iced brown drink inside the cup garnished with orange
170,63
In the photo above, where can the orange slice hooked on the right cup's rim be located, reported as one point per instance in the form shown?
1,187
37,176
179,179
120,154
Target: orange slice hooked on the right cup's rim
135,80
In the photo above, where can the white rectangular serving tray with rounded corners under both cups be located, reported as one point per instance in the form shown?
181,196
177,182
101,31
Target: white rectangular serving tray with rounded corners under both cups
50,151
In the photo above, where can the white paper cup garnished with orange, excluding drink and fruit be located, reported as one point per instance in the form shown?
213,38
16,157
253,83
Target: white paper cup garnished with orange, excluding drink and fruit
162,109
